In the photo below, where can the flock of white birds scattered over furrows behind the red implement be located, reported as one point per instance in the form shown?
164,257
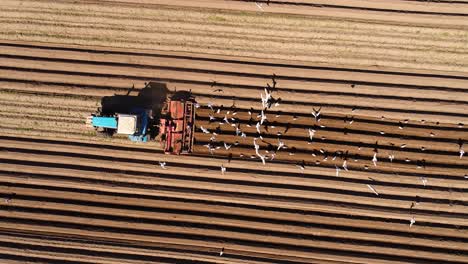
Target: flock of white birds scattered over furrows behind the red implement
260,120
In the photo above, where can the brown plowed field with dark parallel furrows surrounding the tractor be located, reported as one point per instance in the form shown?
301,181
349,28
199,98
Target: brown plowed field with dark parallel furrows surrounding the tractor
382,180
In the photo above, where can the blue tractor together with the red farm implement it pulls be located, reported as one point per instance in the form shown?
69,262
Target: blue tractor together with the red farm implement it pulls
175,113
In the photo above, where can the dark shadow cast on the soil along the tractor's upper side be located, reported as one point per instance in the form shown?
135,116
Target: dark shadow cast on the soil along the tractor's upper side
151,97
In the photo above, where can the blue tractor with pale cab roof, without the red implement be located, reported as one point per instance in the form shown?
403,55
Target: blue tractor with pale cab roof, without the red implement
135,124
